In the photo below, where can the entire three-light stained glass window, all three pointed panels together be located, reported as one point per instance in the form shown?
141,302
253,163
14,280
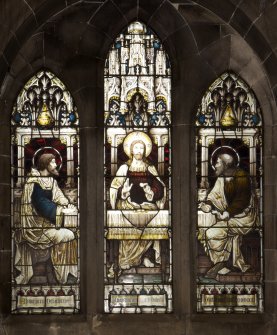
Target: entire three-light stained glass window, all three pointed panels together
137,185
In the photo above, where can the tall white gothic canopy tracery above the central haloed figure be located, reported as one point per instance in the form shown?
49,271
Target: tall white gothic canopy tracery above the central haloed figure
137,63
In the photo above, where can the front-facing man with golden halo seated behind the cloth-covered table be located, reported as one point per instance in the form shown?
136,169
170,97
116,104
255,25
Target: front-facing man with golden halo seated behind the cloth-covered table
137,187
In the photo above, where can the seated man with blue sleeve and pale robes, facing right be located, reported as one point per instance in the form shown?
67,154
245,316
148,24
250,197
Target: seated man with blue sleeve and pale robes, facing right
43,206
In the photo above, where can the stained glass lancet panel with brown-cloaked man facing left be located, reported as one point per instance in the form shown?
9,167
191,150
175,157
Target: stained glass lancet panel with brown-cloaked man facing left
229,178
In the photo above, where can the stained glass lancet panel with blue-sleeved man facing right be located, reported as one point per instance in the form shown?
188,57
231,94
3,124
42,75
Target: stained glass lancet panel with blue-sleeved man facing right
45,198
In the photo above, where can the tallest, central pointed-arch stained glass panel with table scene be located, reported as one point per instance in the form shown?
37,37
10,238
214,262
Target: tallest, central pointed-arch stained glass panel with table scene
138,249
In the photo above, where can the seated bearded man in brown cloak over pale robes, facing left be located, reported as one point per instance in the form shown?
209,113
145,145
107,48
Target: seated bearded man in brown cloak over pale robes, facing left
231,213
